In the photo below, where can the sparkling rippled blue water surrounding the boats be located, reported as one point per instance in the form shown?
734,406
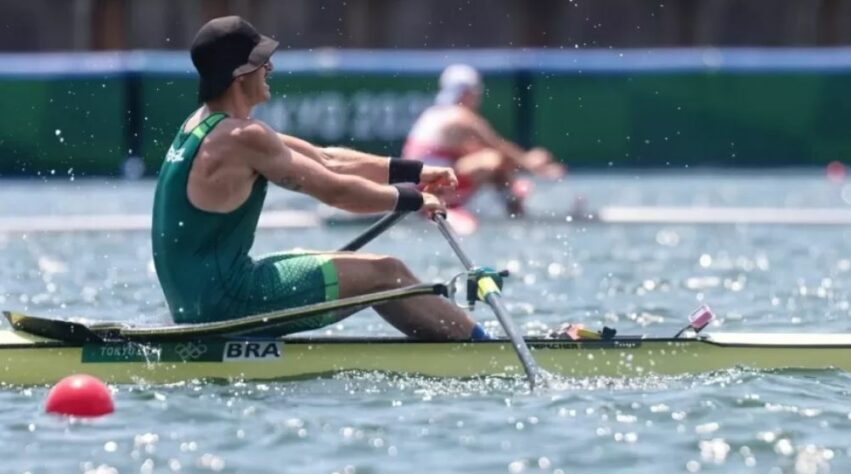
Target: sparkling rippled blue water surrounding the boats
640,279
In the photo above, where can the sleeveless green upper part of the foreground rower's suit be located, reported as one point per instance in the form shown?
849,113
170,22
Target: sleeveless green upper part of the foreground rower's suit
199,256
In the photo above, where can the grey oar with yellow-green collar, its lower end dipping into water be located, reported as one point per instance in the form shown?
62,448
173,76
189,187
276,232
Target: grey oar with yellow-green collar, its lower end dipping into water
489,291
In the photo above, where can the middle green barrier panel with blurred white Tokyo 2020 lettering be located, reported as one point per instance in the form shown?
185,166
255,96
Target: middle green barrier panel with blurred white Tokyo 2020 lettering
365,111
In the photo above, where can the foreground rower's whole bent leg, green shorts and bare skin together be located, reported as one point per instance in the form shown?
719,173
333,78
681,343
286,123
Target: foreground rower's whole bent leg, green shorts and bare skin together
291,279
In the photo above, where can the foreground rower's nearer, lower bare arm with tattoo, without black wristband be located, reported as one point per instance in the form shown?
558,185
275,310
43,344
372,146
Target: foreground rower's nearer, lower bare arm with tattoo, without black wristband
266,153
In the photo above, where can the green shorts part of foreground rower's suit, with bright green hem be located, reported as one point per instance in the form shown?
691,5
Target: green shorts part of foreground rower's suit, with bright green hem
281,281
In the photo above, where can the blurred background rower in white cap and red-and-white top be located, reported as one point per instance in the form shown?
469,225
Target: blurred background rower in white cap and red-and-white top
452,133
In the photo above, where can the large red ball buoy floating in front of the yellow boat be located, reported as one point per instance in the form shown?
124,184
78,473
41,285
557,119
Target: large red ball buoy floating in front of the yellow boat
80,395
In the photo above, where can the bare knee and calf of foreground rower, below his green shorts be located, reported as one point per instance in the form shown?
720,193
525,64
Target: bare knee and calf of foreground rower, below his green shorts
425,317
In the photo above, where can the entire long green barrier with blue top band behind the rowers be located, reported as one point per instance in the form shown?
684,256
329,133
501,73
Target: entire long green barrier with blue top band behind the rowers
109,113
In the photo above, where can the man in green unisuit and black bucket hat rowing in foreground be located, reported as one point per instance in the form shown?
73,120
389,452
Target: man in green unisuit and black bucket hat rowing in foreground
211,190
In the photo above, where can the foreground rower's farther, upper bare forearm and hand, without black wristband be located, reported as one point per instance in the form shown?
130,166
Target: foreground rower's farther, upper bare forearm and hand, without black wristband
372,167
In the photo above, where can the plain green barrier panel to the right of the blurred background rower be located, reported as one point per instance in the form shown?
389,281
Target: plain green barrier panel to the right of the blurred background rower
679,120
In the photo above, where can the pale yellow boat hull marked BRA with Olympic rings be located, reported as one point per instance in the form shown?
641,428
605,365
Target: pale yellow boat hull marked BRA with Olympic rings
30,360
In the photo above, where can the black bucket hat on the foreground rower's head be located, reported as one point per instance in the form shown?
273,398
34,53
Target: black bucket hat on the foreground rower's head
225,48
